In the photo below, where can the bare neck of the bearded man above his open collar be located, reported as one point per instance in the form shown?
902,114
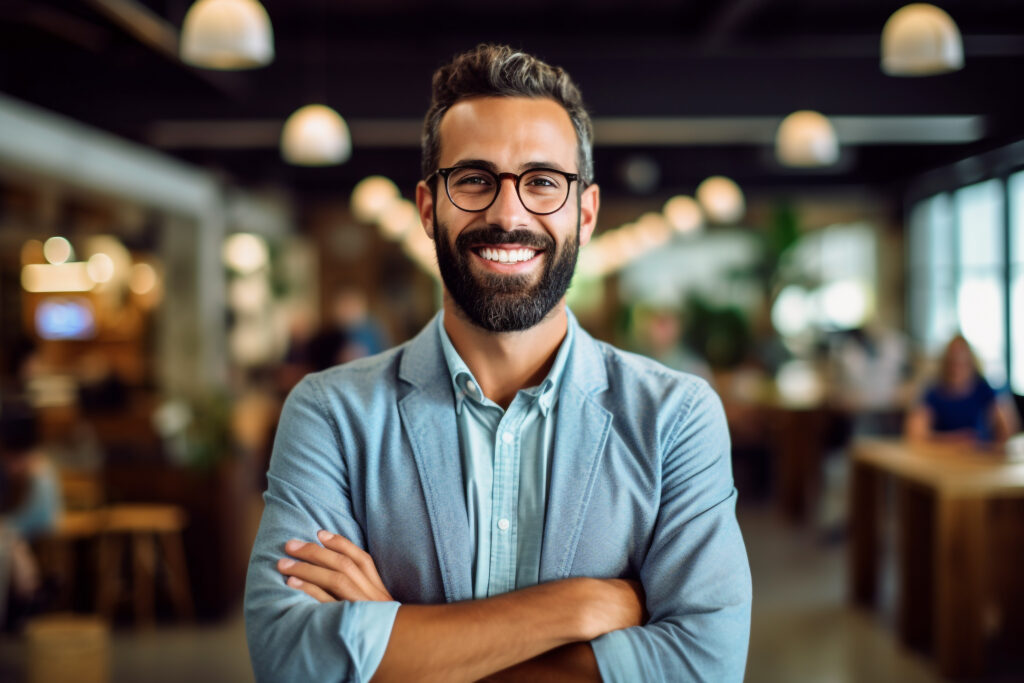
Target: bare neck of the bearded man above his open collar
504,363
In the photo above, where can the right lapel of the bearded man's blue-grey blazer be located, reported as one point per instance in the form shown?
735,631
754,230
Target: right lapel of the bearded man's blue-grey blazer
580,438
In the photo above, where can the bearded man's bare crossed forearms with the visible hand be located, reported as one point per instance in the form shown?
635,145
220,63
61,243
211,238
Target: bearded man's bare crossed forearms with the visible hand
474,639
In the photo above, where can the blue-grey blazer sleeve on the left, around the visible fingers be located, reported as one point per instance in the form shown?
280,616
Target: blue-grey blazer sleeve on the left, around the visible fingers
292,637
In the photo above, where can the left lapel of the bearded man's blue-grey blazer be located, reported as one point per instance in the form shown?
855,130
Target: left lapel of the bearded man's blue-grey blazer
430,420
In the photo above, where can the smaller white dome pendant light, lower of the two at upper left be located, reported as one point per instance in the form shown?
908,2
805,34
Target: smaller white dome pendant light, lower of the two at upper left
316,136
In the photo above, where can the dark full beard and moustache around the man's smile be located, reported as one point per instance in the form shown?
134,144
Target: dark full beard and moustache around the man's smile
500,303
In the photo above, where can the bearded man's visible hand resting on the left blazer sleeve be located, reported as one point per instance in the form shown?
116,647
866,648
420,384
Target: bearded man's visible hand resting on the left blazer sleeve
338,571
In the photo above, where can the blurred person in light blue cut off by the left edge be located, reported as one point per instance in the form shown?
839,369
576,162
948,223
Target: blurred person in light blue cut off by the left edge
30,504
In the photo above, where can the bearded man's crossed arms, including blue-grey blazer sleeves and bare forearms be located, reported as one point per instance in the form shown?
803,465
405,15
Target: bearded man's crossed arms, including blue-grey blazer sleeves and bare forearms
344,626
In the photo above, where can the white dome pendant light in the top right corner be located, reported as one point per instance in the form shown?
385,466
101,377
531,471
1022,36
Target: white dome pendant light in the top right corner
921,40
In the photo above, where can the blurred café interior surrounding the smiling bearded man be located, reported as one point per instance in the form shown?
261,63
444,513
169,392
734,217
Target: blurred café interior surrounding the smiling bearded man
803,201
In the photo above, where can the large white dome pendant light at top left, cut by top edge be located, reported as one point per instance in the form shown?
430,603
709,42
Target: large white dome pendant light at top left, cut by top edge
227,35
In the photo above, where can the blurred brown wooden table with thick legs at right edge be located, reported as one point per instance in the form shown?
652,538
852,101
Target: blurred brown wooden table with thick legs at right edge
947,588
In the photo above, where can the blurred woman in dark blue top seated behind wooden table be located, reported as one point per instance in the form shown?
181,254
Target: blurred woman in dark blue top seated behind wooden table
962,406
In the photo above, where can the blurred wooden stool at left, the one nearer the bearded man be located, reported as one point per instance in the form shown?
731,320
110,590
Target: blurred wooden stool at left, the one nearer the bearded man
144,526
